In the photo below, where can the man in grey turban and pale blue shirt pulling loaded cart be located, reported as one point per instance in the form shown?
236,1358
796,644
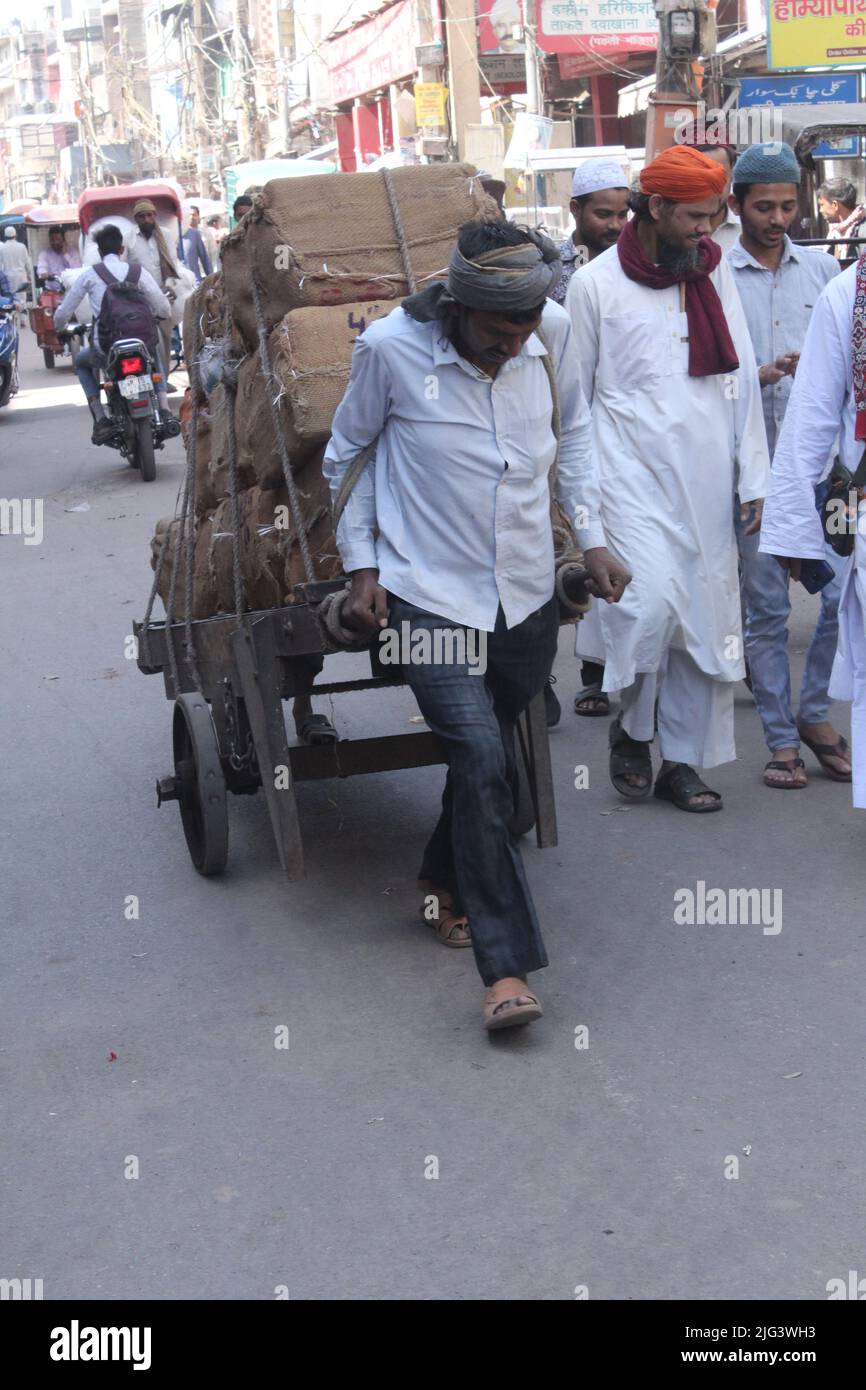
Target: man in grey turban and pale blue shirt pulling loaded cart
448,530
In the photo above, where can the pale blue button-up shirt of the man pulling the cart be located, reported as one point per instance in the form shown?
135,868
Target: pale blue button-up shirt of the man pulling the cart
459,489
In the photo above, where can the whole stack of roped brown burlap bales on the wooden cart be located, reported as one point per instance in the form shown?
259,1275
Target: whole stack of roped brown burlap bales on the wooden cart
291,286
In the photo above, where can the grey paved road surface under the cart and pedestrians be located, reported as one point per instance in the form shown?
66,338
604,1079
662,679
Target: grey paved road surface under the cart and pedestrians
705,1143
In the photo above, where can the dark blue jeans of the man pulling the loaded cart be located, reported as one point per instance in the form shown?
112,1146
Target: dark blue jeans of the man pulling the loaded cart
473,853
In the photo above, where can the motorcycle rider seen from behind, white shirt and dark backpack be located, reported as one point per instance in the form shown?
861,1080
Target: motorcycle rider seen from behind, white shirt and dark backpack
111,244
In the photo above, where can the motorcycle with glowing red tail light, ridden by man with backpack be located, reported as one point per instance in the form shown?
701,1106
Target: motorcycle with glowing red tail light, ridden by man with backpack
130,384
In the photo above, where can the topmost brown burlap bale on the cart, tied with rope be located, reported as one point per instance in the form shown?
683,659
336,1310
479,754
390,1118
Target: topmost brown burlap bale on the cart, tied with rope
330,238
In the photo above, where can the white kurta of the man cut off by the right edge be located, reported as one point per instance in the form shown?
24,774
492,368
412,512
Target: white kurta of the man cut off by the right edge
822,407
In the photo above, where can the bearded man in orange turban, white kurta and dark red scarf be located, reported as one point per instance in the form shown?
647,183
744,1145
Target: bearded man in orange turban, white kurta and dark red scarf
673,451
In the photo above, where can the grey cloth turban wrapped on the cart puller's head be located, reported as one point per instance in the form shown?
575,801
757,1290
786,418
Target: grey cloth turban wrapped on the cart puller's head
508,279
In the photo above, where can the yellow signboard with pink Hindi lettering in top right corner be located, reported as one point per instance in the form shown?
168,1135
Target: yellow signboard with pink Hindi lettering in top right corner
808,34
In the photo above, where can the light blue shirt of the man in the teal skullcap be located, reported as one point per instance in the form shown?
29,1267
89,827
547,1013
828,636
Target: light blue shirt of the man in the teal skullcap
778,306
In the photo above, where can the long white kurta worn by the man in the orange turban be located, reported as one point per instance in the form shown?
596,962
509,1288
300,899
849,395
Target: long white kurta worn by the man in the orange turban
672,451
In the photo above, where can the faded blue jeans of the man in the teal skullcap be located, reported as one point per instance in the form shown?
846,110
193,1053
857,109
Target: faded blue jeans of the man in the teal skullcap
768,607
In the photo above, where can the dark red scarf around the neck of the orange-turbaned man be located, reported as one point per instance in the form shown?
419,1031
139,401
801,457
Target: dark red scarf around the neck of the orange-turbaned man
711,348
